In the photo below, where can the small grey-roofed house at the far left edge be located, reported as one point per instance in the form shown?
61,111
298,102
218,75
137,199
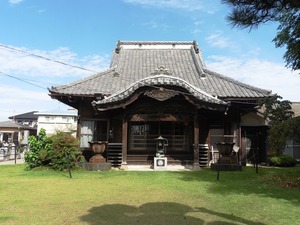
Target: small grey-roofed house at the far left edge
12,132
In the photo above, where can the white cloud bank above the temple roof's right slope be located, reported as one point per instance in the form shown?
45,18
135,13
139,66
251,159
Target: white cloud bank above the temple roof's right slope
259,73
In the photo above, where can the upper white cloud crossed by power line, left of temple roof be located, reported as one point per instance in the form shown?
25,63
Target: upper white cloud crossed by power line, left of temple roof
15,63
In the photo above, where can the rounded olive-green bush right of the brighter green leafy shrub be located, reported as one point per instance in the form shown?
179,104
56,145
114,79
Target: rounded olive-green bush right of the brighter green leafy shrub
65,152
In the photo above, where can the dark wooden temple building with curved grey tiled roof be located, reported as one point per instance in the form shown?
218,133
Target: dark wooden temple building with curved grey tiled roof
157,89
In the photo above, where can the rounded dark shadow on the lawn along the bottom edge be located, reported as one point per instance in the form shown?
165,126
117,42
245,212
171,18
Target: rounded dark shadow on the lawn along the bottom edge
159,213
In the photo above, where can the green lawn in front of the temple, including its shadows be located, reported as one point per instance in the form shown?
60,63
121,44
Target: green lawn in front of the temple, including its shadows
161,197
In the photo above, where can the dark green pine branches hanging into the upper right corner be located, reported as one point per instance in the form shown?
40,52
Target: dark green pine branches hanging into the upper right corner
251,14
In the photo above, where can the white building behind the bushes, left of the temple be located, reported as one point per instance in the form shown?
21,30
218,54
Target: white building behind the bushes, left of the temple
57,121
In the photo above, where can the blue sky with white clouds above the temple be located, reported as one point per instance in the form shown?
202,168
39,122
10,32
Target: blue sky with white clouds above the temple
84,33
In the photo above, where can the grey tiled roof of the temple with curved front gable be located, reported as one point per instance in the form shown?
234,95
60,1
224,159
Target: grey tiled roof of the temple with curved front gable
135,61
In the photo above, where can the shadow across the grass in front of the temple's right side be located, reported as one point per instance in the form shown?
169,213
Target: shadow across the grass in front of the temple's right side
246,182
